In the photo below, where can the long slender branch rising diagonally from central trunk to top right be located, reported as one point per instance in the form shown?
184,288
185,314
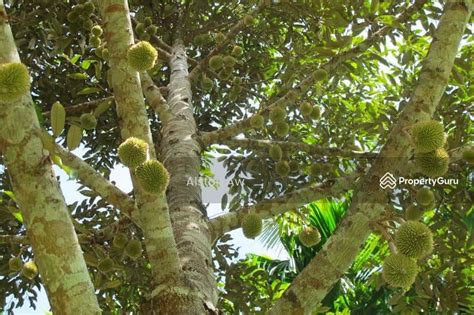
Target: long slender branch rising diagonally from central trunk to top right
219,135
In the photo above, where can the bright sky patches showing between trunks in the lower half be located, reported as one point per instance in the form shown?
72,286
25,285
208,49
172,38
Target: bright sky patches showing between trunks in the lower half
121,176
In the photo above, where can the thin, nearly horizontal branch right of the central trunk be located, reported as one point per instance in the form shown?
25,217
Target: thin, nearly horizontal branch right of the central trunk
298,146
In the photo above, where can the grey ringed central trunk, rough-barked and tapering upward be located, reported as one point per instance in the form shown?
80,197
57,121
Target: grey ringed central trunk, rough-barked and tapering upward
181,156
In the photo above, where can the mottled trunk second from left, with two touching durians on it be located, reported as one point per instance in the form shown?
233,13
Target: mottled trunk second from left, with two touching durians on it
153,215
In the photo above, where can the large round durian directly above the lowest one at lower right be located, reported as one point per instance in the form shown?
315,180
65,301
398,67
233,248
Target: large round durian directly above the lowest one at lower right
414,239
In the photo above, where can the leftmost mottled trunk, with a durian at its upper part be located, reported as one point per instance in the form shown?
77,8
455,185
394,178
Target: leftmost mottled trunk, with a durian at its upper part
50,230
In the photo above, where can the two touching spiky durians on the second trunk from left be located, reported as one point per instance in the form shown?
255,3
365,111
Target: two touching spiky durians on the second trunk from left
151,174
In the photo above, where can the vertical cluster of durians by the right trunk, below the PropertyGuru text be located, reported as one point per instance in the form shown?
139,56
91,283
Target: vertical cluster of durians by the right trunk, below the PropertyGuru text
413,240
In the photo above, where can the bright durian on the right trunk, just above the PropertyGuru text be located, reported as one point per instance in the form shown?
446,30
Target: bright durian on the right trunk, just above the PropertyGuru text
428,136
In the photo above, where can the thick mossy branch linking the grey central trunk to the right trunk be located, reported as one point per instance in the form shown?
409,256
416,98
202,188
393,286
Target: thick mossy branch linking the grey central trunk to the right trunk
289,201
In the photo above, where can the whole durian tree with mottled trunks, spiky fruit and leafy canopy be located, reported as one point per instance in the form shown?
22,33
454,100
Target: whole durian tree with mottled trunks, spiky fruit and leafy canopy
304,101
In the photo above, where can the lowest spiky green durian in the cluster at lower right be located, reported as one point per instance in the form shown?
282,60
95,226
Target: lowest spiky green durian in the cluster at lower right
399,271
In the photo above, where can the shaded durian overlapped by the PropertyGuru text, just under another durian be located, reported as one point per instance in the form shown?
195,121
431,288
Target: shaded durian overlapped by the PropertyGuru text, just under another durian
433,164
